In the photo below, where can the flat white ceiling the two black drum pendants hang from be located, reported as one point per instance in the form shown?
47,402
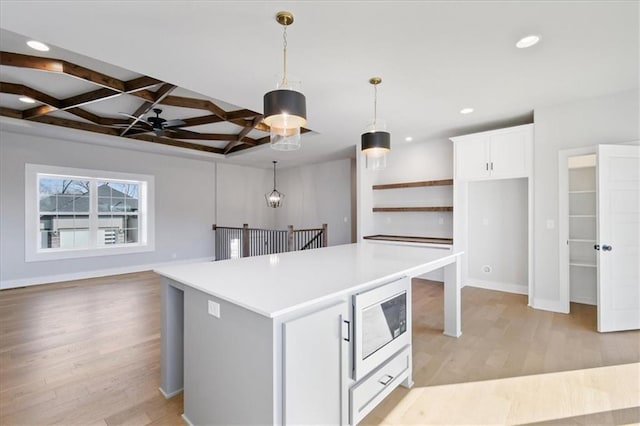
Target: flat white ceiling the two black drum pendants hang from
434,57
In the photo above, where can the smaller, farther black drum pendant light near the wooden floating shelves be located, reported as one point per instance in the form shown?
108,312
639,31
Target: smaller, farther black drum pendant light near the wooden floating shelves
376,141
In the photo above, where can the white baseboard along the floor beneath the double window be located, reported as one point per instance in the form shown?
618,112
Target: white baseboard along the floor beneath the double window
49,279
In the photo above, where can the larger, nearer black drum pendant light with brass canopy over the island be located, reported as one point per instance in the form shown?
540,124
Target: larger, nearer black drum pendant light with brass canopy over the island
285,109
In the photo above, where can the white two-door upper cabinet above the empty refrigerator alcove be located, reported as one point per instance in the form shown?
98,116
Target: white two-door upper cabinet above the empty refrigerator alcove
497,154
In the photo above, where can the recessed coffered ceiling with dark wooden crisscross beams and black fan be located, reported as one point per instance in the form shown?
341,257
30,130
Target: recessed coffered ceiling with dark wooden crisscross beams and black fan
111,101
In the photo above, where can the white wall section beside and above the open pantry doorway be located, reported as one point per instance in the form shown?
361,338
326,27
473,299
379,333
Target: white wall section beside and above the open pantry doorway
604,120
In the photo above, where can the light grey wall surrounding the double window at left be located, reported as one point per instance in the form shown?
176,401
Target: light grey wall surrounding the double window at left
184,206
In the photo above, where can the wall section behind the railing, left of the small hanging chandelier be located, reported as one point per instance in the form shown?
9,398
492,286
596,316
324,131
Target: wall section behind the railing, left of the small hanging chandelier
240,196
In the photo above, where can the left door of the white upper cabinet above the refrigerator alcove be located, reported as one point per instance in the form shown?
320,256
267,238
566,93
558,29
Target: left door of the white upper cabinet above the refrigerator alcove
472,158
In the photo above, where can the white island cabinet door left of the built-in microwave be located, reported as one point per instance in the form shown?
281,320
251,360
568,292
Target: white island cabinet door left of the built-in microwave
315,365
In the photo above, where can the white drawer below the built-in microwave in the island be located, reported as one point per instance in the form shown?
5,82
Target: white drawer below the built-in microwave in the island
368,392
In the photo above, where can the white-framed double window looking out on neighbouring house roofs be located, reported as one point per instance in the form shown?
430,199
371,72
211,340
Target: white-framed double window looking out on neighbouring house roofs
78,213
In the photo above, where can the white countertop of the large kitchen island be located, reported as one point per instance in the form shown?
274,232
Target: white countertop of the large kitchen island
277,284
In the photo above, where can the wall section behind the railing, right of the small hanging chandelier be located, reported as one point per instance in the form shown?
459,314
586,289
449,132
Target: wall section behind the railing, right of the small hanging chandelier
316,194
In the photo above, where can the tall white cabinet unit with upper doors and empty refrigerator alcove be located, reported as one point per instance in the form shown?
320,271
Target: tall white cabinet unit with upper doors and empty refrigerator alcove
493,209
